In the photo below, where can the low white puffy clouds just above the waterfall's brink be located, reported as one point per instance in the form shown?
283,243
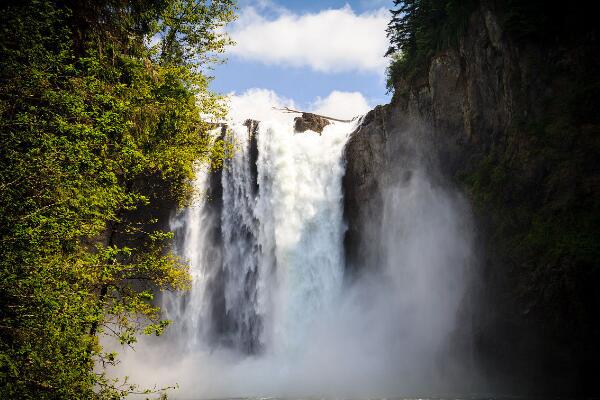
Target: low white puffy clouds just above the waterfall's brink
258,104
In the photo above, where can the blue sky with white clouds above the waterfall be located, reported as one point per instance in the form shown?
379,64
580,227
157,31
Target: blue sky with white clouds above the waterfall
316,55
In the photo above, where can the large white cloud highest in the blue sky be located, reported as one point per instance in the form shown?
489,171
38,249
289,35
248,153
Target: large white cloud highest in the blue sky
332,40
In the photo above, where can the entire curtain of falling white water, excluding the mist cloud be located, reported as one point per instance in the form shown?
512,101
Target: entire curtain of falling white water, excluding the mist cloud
266,257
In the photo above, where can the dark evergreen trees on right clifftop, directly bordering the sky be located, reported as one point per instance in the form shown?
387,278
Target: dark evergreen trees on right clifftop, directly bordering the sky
420,28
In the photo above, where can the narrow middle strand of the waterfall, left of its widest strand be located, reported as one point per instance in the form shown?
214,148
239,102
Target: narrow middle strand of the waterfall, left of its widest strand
240,228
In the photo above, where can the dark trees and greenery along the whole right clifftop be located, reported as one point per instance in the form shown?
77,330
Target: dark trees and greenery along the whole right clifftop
418,29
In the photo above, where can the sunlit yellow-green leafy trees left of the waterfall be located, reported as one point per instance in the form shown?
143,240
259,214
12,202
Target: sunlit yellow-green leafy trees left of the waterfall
90,113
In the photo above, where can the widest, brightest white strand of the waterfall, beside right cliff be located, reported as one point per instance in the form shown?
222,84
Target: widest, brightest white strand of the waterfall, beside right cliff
300,212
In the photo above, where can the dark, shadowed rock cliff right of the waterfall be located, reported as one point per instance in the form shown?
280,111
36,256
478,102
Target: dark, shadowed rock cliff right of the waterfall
514,123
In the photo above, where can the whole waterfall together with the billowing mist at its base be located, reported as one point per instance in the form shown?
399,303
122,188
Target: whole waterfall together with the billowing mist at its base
273,310
